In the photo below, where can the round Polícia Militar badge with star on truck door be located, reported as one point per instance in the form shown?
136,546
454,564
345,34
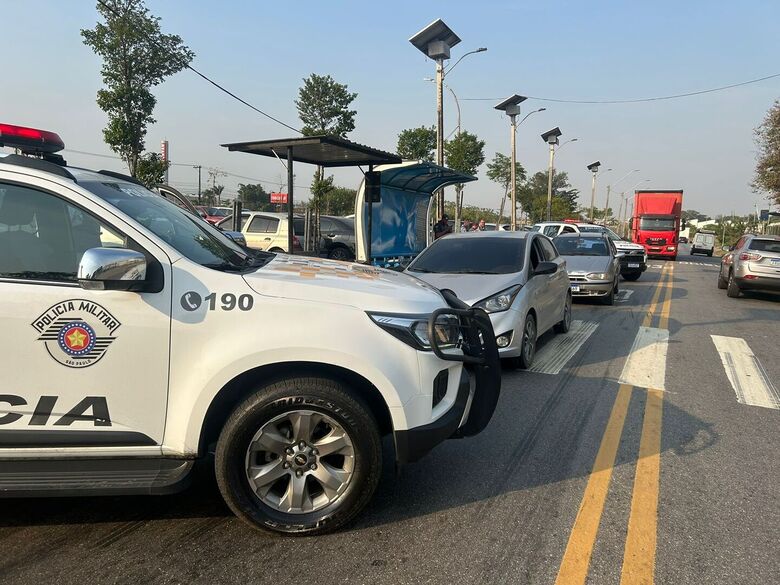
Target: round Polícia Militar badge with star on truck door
77,332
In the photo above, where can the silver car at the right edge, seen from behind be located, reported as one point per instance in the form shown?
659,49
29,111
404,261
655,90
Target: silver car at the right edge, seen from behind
753,263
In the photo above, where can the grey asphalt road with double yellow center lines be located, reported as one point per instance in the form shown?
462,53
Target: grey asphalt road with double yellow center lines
579,477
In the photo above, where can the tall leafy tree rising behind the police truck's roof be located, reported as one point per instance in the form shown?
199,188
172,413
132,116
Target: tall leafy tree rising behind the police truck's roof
136,57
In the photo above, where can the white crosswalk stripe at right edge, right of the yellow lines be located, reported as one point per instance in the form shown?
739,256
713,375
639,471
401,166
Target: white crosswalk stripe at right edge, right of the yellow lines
746,374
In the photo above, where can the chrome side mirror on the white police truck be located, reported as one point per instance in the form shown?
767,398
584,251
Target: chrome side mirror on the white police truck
112,269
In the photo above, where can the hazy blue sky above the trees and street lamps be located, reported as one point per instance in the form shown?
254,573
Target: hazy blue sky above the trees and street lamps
565,49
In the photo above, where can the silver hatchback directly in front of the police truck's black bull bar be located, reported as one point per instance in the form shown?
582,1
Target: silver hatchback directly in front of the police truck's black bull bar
518,278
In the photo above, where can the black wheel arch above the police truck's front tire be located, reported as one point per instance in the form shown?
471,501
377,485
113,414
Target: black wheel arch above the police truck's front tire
232,393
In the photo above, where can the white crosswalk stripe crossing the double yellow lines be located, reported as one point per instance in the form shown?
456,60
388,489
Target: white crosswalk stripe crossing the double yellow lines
645,366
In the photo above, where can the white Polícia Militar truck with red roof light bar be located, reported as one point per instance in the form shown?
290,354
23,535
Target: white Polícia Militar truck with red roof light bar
135,339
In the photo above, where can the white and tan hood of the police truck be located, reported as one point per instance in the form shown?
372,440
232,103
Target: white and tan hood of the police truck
345,283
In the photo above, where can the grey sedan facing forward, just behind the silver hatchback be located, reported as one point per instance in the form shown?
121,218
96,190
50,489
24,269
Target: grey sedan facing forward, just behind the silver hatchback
593,264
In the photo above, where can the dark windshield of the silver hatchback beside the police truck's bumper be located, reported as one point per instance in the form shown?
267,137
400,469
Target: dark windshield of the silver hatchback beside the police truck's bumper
472,256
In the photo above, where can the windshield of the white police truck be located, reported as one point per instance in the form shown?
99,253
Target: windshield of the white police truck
191,236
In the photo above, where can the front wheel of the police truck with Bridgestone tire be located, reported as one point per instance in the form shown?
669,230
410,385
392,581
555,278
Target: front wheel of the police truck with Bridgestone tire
299,456
